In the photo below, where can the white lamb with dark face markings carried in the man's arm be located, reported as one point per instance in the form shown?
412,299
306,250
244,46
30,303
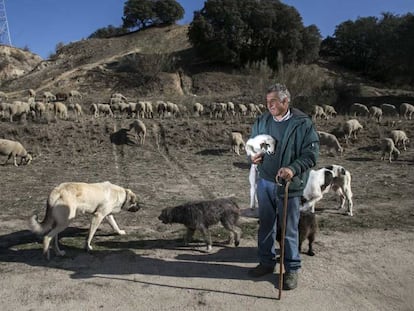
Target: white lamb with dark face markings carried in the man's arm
259,144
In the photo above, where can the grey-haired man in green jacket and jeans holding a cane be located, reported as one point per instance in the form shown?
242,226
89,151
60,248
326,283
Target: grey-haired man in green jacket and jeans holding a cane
297,151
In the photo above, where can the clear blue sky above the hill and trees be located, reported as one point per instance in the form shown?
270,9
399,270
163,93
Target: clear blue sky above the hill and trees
41,24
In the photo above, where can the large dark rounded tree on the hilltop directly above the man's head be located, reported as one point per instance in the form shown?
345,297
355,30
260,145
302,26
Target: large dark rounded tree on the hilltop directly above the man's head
240,32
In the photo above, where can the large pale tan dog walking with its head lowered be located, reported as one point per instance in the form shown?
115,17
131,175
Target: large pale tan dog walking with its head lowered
100,199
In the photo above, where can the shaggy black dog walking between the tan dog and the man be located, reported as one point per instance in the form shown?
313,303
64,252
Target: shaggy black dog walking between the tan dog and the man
201,215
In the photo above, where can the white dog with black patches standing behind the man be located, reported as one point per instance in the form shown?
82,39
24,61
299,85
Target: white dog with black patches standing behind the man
331,177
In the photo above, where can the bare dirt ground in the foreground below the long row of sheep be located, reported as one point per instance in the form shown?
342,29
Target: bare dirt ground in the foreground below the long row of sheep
364,262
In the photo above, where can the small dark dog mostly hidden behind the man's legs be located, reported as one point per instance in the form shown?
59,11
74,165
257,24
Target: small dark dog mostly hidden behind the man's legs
307,230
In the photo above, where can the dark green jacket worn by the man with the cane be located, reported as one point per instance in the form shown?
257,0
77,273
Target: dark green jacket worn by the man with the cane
299,148
